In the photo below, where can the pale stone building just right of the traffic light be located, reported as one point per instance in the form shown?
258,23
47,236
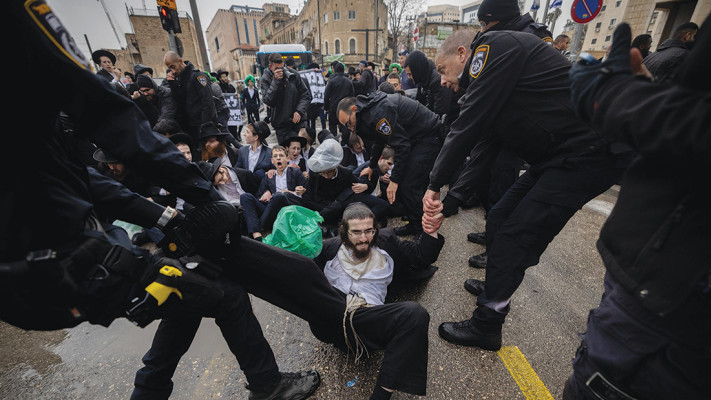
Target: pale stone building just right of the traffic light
233,38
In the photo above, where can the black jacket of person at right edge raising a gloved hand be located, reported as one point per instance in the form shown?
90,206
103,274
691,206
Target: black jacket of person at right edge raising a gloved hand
655,242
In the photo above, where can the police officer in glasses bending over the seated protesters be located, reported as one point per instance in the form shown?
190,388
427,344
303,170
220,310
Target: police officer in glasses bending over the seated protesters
411,130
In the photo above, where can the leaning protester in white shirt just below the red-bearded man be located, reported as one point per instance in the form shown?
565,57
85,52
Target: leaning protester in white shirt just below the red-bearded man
230,183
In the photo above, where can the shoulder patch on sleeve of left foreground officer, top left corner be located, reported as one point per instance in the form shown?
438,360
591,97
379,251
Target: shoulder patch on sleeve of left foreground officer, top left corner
55,31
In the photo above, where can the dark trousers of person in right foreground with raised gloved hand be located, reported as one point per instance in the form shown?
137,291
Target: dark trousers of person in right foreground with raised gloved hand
642,354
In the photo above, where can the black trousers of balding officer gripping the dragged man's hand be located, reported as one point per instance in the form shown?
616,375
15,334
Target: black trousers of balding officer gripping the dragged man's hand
531,213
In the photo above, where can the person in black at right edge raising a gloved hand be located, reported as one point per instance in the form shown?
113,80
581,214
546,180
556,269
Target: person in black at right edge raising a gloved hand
650,337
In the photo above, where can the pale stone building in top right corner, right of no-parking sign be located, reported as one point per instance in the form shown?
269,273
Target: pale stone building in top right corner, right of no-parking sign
657,18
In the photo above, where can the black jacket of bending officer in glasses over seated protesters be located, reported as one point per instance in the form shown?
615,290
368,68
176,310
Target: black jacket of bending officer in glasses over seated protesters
397,121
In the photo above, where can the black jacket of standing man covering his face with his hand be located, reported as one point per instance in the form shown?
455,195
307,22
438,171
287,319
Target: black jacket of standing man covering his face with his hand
285,96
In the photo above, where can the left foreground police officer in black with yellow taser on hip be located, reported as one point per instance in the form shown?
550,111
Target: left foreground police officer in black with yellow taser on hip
59,266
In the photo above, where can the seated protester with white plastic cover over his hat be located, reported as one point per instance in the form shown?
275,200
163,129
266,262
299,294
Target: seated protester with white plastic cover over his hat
329,184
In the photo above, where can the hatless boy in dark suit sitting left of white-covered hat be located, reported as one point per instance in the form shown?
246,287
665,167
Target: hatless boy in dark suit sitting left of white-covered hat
284,188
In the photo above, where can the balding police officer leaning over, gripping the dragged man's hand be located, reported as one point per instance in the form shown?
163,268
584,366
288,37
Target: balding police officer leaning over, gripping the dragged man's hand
570,163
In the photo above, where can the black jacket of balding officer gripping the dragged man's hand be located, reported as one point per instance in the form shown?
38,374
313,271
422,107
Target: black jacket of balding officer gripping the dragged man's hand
519,97
